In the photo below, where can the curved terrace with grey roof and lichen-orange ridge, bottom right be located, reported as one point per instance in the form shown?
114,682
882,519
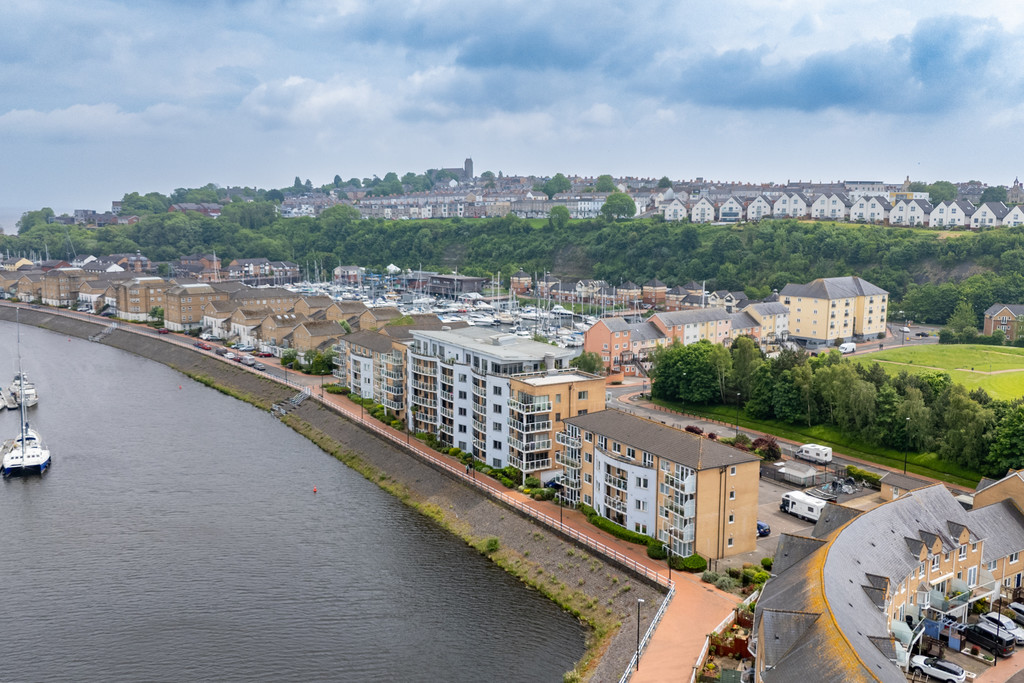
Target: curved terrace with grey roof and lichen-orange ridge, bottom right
850,602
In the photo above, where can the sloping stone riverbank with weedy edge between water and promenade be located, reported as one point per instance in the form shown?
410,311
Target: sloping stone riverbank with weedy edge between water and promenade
599,592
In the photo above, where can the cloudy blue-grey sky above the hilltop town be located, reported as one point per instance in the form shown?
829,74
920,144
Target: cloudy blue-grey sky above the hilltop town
104,98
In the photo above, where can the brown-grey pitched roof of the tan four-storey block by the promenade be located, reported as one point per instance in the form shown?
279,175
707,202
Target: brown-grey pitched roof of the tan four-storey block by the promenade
680,447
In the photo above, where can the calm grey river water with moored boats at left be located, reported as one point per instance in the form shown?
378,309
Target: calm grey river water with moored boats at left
178,539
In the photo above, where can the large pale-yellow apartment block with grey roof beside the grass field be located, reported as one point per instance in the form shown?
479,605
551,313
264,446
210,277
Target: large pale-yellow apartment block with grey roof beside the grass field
831,309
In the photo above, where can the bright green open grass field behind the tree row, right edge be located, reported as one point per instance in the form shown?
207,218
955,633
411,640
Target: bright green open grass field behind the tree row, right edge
999,370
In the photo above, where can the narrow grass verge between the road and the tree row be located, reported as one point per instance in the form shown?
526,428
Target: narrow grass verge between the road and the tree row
927,464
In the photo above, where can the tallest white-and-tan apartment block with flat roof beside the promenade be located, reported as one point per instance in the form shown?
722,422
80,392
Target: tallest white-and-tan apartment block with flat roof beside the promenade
460,388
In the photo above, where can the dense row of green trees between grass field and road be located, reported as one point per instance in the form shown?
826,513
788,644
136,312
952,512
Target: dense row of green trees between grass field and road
918,413
